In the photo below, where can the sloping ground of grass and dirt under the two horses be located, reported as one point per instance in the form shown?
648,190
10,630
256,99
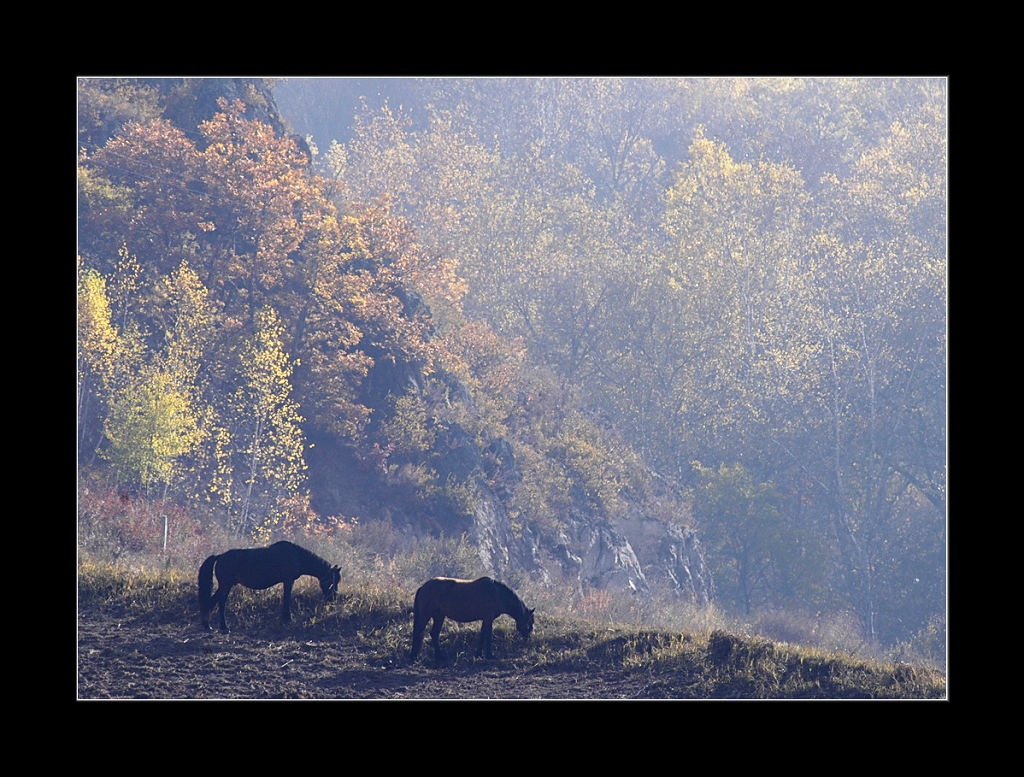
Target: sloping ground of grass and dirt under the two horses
139,630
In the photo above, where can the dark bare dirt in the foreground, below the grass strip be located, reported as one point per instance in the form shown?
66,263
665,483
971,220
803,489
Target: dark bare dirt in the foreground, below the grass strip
119,659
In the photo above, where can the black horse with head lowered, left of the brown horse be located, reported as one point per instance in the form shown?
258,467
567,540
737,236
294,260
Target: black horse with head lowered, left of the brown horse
261,569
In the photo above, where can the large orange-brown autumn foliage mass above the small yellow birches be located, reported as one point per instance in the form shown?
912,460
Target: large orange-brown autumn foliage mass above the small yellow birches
248,217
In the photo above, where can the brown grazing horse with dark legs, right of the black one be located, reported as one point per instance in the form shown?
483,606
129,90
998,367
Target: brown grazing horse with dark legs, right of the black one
465,601
